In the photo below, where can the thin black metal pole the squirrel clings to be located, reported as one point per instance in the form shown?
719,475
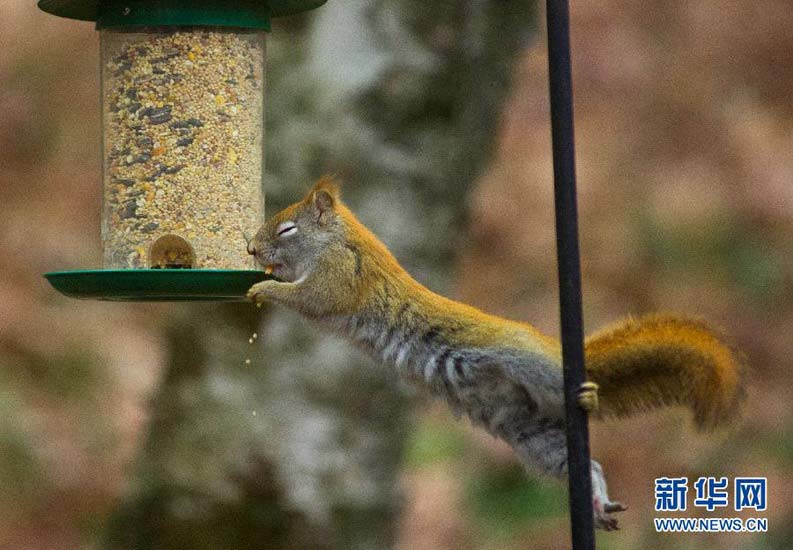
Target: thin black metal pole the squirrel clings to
580,479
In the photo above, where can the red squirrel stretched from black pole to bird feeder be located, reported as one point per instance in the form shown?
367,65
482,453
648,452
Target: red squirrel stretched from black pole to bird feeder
504,375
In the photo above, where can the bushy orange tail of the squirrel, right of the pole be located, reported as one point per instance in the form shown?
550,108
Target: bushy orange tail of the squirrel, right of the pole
642,364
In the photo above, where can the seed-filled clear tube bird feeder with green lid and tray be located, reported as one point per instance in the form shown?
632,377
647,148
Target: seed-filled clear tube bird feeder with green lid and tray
182,145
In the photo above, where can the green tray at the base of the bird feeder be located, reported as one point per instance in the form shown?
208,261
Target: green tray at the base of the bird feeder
156,285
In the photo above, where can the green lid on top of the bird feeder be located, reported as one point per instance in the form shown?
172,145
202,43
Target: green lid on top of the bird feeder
252,14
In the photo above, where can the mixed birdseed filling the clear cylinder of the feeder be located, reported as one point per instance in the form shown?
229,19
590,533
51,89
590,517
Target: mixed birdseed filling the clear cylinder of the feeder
183,157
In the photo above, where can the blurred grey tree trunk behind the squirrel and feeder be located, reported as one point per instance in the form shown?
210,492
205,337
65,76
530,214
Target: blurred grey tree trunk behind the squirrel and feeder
401,100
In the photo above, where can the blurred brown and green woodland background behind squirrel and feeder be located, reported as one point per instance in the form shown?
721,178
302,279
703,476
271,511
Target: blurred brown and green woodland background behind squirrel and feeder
142,426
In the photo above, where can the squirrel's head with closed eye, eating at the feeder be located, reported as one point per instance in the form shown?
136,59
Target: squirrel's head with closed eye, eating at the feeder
289,244
